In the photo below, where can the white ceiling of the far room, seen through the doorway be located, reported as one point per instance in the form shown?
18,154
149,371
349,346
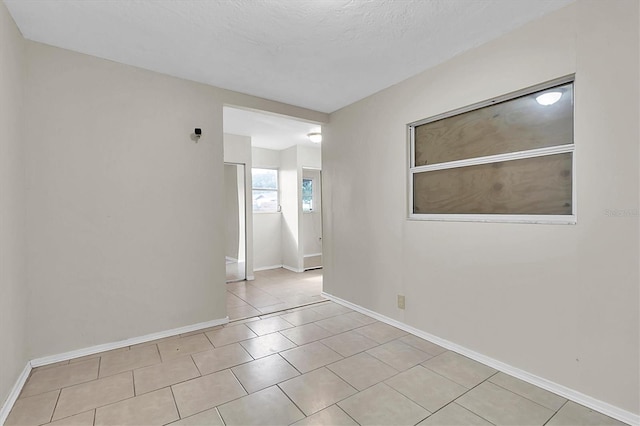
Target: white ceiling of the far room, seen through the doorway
268,130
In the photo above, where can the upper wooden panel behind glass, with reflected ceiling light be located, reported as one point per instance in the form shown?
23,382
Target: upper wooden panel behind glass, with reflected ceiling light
516,125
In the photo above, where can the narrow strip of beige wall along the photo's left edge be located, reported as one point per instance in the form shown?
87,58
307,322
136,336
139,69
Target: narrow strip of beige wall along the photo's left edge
13,284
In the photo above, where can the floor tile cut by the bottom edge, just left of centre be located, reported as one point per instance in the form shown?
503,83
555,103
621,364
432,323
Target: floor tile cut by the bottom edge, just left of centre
266,407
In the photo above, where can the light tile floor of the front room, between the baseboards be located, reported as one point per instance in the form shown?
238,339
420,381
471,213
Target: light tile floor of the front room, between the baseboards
320,364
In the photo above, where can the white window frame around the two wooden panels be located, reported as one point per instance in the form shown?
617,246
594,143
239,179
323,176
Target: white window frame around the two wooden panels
532,153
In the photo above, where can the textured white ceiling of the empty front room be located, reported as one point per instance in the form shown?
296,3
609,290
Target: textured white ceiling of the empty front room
318,54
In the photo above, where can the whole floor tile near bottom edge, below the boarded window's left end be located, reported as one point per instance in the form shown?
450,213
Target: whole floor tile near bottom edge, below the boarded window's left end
426,388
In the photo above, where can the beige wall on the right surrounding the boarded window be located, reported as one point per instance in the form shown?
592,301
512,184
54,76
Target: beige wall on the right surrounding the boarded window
560,302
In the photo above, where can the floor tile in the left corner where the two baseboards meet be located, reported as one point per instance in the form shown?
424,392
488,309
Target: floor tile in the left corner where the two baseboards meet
59,377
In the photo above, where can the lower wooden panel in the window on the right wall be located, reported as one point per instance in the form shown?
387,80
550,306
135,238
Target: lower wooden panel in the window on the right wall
540,185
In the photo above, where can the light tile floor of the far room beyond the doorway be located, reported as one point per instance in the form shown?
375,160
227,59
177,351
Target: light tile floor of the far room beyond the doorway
273,290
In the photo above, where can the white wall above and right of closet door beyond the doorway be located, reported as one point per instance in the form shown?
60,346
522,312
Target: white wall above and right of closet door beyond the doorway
237,149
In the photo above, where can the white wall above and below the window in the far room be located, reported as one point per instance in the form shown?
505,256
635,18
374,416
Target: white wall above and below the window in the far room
267,227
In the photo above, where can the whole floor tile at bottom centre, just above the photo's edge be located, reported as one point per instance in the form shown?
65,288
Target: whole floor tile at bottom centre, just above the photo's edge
317,390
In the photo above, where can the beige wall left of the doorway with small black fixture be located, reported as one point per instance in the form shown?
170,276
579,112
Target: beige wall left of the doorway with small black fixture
125,226
